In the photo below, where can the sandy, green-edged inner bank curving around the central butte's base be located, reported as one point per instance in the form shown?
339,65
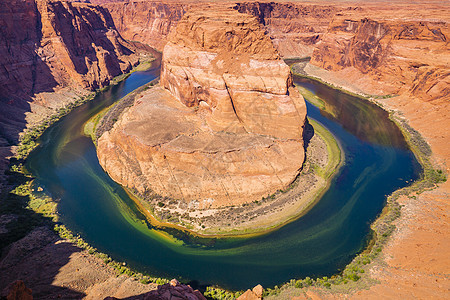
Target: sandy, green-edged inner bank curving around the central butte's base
267,215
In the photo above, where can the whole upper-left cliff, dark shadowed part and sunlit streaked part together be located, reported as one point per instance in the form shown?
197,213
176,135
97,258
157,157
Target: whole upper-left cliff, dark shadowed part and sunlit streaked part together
49,45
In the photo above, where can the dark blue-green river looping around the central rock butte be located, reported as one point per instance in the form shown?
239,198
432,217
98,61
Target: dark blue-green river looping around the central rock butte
320,243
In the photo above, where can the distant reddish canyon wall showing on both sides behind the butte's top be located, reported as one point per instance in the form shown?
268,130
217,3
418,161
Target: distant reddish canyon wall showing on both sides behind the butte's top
293,28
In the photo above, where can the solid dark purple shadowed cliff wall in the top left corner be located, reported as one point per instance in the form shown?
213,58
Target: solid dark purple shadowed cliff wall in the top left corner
23,73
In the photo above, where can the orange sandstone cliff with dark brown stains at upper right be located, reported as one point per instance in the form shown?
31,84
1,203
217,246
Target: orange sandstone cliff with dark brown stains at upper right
389,56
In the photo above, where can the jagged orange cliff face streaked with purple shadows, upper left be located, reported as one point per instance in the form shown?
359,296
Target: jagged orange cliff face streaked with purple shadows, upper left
87,47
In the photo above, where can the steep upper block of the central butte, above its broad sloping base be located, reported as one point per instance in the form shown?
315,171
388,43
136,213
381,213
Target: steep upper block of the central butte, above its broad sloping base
231,65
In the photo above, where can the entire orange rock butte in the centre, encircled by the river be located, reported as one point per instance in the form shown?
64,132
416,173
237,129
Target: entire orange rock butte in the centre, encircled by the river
224,128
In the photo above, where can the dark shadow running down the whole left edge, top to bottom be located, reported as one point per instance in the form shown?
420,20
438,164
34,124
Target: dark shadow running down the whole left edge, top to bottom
22,74
